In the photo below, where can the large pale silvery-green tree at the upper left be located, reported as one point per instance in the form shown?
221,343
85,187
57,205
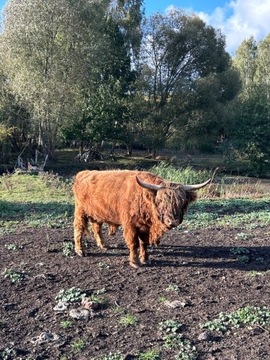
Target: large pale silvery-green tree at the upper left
47,48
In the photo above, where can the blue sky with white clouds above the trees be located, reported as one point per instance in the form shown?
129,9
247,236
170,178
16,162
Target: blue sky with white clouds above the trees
237,19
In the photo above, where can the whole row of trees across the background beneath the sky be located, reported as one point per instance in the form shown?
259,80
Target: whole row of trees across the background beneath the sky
92,73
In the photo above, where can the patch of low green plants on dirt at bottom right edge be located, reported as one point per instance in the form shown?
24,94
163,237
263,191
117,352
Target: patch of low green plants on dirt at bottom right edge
248,315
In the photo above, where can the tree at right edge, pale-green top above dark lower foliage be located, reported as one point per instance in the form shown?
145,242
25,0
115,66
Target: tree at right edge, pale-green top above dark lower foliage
252,109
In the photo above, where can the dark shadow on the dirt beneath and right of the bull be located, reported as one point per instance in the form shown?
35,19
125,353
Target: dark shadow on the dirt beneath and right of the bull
214,257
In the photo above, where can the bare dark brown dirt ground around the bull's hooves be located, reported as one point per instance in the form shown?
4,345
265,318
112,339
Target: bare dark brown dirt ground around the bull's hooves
193,277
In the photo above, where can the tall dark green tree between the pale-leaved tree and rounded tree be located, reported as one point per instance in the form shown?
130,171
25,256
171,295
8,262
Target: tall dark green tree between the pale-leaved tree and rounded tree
107,94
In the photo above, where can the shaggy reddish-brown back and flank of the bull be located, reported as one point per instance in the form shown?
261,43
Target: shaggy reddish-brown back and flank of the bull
112,196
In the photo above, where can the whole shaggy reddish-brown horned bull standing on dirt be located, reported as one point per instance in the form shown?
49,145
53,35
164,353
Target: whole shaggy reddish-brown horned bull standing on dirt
145,205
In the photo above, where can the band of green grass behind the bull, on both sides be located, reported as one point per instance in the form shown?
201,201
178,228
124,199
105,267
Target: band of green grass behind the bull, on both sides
46,199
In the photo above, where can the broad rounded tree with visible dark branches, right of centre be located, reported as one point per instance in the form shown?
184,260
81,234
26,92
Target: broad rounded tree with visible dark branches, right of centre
181,55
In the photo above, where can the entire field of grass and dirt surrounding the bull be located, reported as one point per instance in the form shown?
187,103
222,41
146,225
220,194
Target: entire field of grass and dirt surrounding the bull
216,266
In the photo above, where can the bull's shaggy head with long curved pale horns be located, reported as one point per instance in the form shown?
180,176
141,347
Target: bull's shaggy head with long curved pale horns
172,200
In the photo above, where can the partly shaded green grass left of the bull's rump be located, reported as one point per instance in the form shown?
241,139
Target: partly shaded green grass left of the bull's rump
35,201
